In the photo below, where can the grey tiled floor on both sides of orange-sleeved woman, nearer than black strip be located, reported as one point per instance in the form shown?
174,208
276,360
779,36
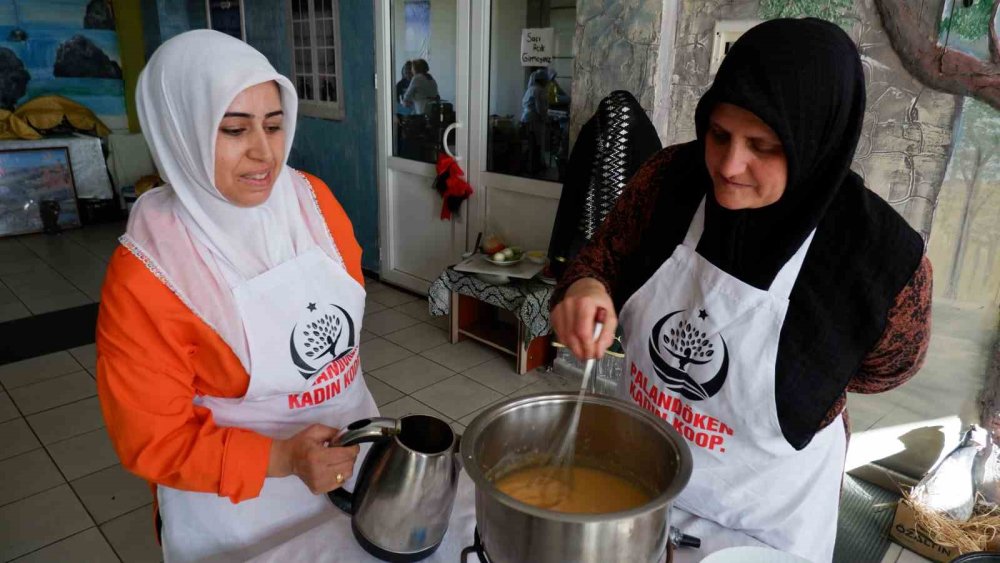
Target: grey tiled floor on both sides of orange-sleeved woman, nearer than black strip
64,496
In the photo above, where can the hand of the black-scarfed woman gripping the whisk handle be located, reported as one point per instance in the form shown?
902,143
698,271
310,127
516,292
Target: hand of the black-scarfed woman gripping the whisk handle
574,317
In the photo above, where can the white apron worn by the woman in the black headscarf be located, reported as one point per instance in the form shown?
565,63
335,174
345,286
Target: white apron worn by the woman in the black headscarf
700,347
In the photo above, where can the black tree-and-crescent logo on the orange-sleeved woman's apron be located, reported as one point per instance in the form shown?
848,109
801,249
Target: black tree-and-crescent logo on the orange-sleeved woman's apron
320,338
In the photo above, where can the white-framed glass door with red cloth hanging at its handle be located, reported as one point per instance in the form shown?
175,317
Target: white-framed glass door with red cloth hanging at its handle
422,58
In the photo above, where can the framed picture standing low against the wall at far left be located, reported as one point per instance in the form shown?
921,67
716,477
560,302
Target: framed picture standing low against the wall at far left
37,191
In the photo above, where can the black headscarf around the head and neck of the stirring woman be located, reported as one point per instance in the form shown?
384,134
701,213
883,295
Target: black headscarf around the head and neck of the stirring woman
804,79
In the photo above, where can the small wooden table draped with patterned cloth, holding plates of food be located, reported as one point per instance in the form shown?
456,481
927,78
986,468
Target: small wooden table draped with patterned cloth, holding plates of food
512,318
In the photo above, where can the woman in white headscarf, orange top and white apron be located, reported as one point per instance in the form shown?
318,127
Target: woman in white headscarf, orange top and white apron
231,313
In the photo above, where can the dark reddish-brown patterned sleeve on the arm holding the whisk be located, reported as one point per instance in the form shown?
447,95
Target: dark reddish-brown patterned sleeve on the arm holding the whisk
618,237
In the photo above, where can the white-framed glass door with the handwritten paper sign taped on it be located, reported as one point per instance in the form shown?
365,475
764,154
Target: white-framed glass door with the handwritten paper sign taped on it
520,113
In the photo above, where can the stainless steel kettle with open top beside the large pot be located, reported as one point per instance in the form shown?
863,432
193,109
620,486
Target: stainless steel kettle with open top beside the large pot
406,487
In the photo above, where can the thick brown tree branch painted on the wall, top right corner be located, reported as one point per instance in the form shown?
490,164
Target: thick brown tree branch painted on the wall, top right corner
914,39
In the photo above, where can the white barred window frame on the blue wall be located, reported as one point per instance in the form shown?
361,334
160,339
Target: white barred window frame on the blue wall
333,110
